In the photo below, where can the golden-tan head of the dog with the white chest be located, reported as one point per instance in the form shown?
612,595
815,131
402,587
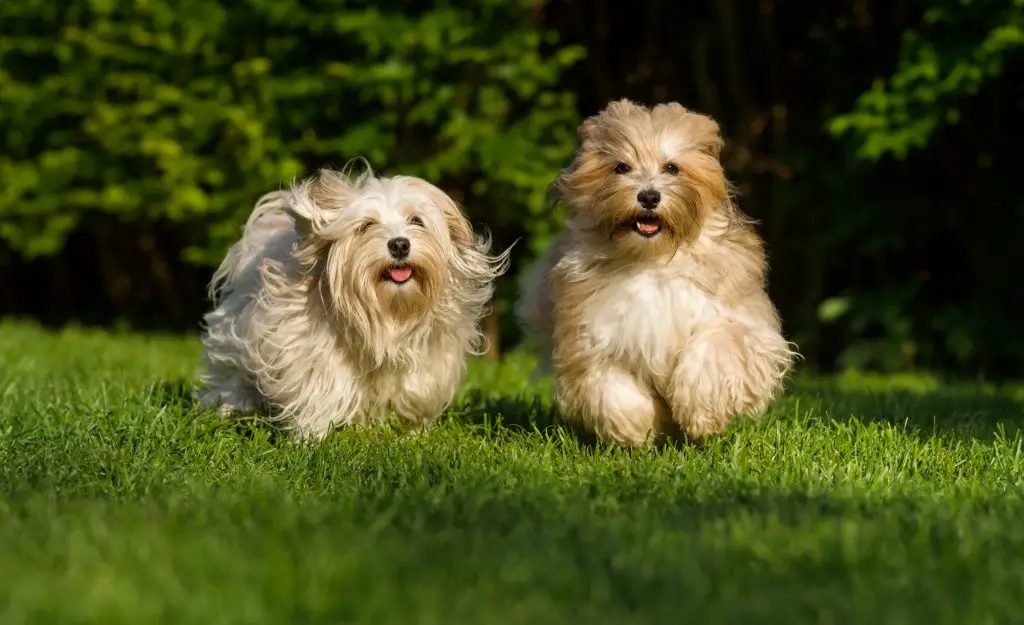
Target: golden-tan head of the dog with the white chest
645,181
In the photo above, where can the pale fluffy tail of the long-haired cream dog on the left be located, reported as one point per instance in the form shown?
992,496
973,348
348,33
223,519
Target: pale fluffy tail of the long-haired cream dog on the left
269,219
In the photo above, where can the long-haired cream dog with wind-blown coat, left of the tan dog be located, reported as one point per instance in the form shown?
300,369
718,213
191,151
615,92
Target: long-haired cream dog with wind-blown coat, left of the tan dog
344,298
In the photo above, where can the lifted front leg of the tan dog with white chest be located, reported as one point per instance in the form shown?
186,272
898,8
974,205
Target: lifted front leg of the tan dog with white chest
727,368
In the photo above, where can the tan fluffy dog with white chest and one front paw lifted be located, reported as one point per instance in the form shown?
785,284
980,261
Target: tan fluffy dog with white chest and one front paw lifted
656,317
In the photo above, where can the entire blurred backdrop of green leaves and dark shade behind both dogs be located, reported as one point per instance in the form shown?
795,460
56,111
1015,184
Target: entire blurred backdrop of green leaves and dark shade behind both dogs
876,142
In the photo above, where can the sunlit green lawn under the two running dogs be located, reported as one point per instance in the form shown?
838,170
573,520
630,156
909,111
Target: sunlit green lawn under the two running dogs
857,501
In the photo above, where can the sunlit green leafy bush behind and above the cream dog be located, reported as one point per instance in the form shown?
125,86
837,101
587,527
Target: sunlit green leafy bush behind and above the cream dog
186,111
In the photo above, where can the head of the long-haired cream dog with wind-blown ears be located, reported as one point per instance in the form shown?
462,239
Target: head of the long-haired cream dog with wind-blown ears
392,254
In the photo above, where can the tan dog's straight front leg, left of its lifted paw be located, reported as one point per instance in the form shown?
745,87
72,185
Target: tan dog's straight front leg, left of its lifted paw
612,402
